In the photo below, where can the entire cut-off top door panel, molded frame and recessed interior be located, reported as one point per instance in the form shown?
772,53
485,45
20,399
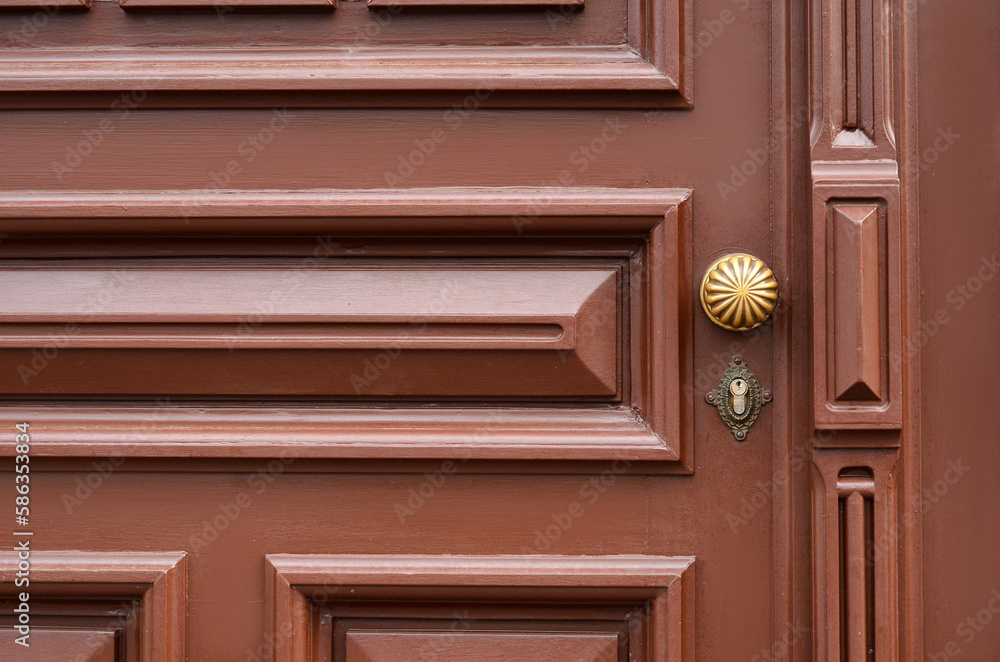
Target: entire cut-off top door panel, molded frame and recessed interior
384,52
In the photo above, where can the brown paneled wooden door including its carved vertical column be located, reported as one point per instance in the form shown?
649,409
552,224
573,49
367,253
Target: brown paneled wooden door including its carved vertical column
357,332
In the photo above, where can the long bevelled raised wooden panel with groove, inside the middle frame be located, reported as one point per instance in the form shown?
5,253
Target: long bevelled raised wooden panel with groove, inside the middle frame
283,329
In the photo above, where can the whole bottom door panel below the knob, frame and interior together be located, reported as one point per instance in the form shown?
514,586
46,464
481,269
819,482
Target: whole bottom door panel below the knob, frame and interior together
349,603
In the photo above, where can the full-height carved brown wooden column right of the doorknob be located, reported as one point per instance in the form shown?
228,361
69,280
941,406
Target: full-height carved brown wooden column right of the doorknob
865,460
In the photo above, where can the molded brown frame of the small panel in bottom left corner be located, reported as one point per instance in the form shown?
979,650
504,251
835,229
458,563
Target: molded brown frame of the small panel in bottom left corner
157,581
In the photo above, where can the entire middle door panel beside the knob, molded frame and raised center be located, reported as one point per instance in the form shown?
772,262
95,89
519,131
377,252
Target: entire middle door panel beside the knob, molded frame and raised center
613,262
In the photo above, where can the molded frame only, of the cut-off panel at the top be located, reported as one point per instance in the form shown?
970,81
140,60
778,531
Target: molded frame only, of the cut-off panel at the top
656,57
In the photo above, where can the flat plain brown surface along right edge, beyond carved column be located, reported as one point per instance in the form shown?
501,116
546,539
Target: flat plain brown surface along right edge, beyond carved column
959,505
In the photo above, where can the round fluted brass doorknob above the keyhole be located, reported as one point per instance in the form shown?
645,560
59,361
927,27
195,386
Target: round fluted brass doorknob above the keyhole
739,292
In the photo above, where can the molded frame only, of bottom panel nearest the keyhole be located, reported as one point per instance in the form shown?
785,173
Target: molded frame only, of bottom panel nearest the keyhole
664,585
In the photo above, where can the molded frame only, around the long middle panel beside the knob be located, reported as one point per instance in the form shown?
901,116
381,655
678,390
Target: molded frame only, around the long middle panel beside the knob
652,429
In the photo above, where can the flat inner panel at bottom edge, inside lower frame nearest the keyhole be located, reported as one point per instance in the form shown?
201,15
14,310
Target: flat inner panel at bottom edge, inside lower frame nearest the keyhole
450,646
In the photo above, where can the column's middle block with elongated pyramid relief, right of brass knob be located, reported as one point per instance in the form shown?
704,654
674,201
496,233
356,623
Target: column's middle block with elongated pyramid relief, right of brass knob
858,345
